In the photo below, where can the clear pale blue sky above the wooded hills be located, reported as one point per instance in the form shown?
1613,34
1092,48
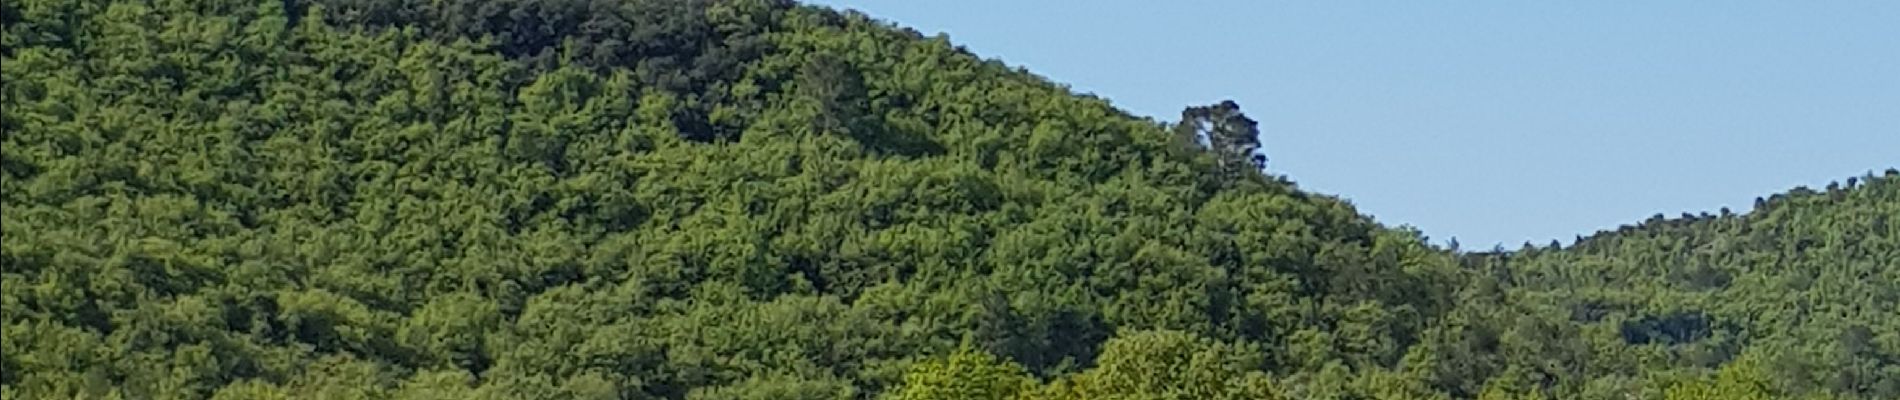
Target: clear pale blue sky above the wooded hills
1491,122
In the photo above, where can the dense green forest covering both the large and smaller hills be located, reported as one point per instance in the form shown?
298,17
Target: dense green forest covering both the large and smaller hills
732,200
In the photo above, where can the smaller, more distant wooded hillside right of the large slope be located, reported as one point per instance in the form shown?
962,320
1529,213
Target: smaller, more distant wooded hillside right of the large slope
1798,299
